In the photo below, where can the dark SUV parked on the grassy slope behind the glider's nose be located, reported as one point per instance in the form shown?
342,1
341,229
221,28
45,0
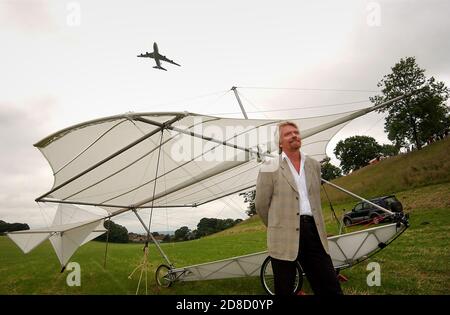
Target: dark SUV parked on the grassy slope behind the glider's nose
364,212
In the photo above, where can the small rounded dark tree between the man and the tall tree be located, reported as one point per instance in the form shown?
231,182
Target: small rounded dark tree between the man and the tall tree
356,152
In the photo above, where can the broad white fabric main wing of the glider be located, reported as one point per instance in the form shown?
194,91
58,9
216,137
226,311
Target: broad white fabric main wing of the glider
116,162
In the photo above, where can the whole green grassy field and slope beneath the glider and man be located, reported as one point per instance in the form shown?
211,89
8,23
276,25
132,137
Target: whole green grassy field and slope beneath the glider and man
416,263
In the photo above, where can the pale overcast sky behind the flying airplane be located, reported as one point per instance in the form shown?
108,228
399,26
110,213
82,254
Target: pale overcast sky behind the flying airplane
65,62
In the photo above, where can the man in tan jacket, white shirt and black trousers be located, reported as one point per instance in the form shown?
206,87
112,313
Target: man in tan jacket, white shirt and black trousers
288,202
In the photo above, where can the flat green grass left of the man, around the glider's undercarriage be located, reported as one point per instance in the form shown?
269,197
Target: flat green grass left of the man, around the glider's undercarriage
38,272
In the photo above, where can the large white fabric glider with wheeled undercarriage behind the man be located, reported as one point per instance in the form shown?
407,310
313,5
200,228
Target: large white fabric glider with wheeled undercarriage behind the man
144,161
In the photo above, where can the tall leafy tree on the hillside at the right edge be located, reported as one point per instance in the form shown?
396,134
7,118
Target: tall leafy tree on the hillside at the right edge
414,119
